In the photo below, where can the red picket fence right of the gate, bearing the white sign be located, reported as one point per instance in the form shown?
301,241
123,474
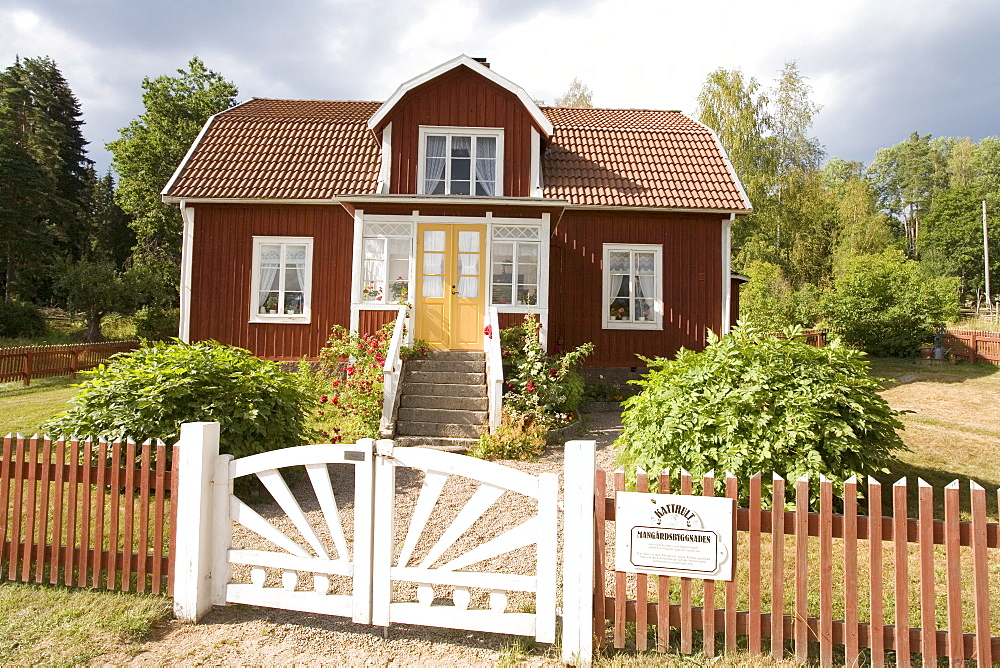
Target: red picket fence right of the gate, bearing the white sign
789,593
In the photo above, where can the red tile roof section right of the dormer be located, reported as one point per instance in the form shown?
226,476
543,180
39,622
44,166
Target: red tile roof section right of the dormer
636,157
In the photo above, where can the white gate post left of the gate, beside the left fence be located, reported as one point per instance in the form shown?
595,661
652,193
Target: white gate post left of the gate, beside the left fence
198,452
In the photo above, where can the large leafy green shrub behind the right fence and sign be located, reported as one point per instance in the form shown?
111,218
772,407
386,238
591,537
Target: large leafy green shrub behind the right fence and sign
751,403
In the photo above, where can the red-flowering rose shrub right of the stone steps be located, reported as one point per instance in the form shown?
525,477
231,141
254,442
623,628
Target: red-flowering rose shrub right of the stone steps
545,385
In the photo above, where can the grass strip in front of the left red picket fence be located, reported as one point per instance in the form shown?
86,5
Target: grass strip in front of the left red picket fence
59,626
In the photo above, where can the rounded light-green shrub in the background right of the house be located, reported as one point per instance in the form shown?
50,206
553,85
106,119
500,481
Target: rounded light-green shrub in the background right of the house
886,306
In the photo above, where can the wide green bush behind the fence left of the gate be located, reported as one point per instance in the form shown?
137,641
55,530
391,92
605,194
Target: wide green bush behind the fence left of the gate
149,392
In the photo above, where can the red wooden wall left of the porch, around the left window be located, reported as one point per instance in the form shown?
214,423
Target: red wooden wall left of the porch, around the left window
221,275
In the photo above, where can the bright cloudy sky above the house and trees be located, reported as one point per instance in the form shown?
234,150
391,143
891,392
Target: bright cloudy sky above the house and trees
879,68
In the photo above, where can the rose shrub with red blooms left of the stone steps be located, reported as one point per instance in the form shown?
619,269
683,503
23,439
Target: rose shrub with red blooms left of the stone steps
348,386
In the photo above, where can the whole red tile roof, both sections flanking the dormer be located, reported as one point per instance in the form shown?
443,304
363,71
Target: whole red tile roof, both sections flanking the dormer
314,149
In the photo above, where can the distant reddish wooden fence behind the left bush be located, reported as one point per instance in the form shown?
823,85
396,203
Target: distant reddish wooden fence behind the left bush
27,362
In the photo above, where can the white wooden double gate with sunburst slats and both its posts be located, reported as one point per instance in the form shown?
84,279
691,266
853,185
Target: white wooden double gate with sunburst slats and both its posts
387,580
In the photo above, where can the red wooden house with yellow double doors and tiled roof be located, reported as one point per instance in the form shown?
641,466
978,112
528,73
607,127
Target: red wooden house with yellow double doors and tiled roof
456,195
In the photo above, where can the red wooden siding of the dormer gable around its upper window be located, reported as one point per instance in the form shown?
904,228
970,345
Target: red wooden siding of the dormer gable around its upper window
461,98
